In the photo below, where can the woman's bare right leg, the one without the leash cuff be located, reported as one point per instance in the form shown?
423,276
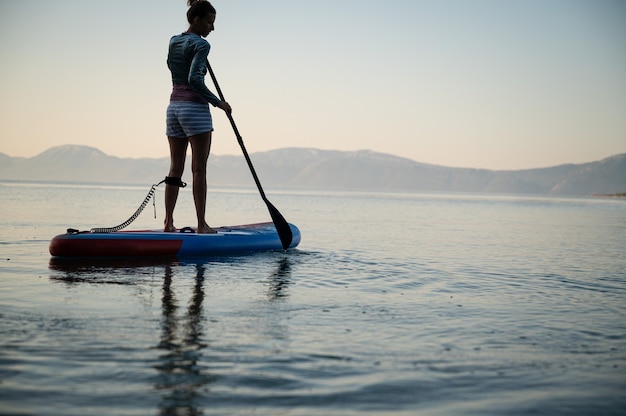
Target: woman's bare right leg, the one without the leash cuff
200,149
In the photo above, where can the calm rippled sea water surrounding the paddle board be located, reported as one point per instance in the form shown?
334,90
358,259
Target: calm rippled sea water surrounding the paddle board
393,304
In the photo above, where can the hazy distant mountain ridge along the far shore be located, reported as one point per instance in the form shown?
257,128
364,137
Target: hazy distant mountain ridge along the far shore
305,168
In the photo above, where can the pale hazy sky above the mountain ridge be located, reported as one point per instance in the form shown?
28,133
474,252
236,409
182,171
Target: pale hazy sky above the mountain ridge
484,83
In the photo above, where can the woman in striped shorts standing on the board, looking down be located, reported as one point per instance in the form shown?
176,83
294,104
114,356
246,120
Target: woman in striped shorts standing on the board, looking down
188,115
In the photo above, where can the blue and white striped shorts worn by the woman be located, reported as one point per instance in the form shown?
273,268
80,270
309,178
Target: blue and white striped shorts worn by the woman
185,119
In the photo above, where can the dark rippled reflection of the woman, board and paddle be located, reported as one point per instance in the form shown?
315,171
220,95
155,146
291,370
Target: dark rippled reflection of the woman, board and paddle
184,357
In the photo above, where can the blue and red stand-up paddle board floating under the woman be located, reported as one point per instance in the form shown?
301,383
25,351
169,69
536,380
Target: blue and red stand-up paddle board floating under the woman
157,243
